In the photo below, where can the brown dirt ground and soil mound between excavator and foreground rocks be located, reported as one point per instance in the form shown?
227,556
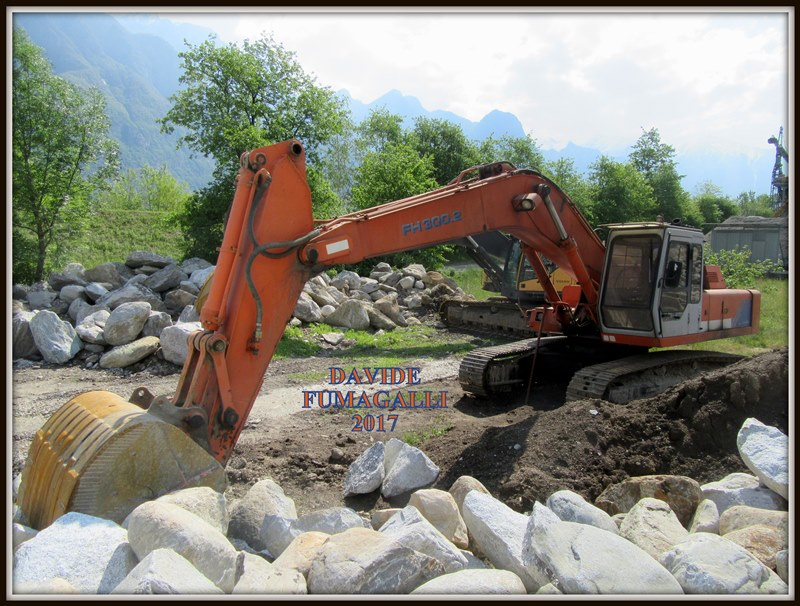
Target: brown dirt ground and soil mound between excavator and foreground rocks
521,452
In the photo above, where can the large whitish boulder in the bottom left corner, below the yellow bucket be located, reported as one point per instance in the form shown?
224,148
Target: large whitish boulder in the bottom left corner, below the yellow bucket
89,553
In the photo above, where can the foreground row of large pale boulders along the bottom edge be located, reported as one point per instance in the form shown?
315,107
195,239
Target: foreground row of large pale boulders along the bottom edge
646,535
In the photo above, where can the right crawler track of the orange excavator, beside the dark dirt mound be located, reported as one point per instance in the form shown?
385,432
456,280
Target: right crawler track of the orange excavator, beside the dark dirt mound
643,375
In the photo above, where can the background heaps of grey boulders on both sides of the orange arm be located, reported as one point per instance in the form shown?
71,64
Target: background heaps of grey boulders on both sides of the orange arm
117,314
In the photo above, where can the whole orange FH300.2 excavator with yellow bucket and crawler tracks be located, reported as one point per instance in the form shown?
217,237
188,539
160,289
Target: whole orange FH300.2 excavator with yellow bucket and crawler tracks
646,286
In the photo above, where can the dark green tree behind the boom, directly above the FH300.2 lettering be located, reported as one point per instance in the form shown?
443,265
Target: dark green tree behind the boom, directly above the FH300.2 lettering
446,144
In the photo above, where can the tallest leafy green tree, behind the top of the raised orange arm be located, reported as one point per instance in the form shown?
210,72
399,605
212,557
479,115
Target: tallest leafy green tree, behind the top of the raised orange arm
234,99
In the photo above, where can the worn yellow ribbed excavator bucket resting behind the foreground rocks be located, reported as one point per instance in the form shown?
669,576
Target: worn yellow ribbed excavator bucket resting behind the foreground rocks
103,456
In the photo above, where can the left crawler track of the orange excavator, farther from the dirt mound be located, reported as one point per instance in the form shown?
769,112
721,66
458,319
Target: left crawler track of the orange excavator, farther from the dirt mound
492,370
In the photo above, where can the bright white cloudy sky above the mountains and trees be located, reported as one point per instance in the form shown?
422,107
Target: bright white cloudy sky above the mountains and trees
708,81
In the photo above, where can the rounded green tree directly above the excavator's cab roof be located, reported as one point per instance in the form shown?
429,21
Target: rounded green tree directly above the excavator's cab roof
620,193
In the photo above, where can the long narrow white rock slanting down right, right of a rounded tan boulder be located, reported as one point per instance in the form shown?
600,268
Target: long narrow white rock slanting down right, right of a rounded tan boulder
498,532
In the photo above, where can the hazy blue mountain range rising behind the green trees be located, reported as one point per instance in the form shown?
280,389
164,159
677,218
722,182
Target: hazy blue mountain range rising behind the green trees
134,62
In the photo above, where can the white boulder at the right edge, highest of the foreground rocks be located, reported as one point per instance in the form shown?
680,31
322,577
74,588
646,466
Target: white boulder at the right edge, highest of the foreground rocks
765,451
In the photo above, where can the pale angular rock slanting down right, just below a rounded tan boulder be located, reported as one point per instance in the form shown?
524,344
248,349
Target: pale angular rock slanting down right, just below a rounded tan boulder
411,529
